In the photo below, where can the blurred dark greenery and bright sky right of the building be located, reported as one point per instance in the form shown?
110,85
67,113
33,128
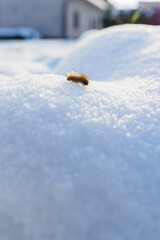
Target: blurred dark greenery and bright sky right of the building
133,11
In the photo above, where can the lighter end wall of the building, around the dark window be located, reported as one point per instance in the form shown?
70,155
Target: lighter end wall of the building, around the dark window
89,18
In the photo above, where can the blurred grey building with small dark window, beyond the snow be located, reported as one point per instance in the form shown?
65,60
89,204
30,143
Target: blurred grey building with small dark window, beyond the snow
53,18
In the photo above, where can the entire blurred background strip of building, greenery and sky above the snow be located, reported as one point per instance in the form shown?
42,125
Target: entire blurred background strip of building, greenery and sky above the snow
26,19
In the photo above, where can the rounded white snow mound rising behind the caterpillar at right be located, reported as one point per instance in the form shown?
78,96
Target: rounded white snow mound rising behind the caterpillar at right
115,53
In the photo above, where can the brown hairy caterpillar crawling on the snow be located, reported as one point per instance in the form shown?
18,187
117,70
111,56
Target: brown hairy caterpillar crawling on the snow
78,78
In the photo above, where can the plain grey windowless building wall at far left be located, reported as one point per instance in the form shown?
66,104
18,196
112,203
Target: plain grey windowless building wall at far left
44,15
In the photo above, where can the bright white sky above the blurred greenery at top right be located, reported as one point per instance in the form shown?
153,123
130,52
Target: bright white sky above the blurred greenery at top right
128,3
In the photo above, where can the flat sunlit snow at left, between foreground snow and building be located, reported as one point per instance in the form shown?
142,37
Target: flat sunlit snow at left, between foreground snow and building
32,56
